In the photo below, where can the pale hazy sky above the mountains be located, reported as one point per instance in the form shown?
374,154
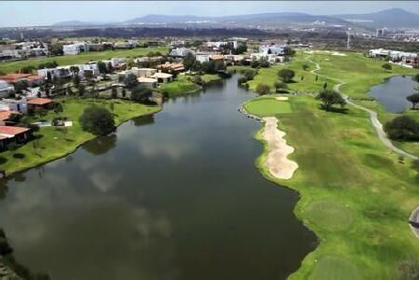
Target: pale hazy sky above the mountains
29,13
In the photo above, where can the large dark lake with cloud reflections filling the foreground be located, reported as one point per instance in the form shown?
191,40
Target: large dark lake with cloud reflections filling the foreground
174,195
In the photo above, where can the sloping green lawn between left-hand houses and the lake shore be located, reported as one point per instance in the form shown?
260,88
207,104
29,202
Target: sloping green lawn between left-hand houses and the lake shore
55,143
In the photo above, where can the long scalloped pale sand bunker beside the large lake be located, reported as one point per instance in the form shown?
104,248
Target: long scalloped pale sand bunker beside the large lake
277,162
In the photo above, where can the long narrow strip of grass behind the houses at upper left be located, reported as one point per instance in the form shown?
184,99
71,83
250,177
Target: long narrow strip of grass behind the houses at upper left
12,66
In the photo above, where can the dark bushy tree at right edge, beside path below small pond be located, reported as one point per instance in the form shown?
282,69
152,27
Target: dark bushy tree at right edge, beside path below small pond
402,128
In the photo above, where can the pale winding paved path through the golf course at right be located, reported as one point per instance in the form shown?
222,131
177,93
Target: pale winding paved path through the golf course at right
373,115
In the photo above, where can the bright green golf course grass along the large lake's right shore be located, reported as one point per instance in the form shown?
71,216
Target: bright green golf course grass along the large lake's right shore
356,194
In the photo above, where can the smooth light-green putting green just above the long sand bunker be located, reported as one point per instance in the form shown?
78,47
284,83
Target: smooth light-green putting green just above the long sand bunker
267,106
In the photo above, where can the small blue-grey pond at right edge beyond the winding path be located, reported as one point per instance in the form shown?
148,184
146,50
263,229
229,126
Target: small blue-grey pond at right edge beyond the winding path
392,93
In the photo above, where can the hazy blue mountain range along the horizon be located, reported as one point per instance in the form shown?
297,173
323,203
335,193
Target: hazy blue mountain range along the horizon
392,18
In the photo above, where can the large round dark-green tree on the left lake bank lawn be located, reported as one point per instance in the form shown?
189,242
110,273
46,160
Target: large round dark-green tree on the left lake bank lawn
97,120
